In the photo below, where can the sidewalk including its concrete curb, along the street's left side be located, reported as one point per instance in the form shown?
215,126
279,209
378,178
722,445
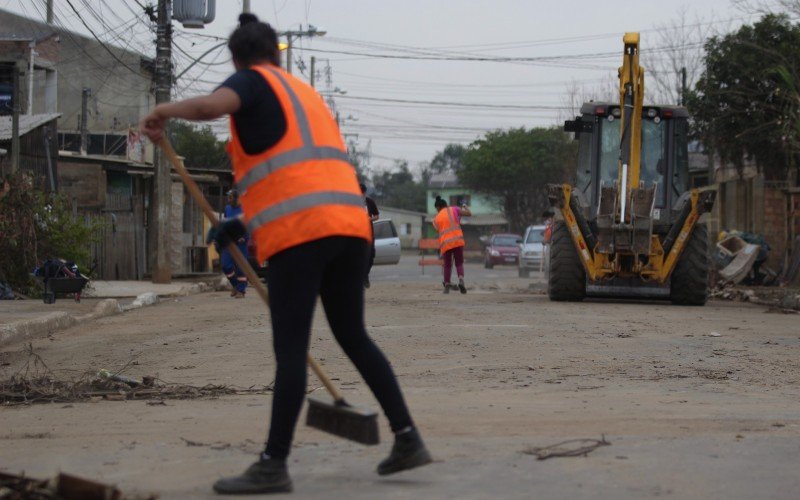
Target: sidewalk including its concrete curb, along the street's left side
26,319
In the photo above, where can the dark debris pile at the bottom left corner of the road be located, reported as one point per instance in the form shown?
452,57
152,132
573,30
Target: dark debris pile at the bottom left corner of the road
63,487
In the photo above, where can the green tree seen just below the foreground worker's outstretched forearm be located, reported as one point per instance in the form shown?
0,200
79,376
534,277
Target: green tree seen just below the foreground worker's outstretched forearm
198,145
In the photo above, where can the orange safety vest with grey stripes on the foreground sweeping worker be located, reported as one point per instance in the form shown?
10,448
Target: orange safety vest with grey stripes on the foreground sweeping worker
303,188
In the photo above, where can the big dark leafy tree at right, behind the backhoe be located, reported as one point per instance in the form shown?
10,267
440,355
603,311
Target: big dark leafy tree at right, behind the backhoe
746,103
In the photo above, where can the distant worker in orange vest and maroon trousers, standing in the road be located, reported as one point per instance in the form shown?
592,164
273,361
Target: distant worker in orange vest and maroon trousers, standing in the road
451,241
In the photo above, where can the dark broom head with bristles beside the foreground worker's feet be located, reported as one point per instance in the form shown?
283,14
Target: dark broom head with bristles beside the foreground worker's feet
340,419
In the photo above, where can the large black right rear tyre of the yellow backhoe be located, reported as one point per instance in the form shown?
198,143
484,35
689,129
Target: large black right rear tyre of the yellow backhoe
689,284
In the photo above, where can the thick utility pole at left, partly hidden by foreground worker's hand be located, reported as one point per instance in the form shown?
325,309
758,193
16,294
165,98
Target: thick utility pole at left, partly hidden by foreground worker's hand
159,226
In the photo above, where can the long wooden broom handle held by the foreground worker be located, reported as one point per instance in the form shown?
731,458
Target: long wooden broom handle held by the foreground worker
241,261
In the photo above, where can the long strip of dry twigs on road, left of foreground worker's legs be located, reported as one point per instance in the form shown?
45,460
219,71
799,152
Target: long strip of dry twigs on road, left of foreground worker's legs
36,383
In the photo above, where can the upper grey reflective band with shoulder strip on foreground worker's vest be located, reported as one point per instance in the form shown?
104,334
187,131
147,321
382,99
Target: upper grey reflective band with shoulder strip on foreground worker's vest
308,151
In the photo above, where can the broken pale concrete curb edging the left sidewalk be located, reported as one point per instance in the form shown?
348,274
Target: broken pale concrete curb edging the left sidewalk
52,322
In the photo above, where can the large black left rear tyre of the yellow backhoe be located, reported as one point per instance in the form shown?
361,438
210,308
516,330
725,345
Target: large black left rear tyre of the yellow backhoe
567,278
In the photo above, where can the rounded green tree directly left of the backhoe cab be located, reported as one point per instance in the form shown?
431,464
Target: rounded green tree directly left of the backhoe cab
516,165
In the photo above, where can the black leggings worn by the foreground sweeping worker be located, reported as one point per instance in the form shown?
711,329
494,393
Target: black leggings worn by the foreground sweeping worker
332,268
